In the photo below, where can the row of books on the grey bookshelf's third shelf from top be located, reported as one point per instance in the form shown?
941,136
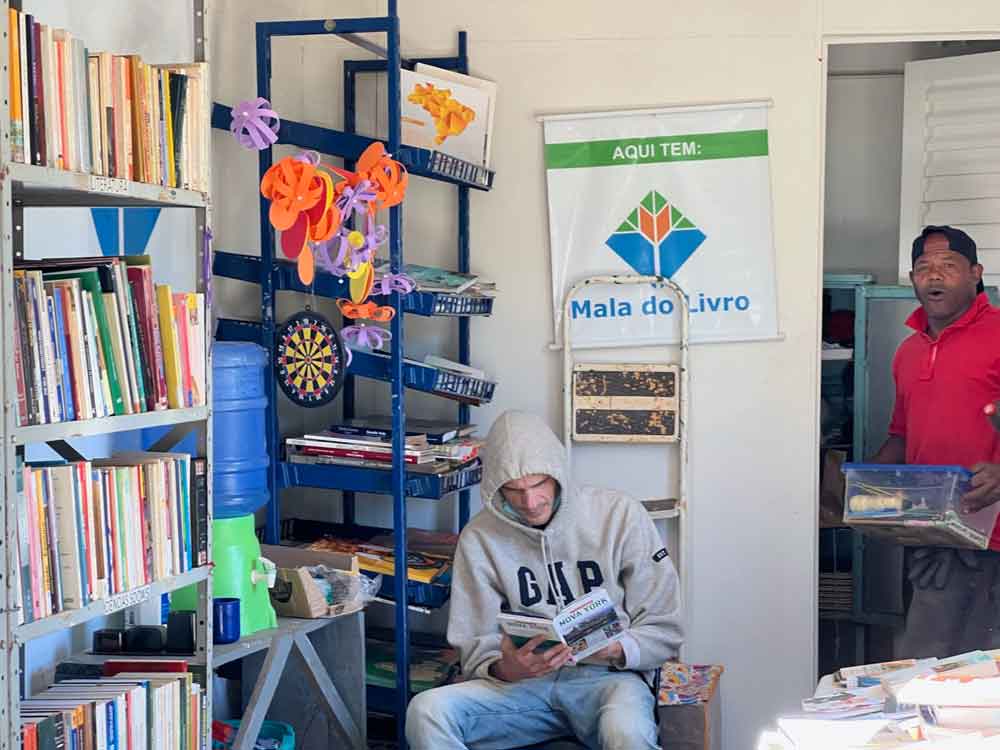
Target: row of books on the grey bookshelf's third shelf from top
88,530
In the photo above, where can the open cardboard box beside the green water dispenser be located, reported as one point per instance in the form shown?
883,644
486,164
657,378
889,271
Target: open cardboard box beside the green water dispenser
295,593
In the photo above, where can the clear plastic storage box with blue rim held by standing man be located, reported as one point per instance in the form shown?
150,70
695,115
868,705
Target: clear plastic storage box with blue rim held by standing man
915,505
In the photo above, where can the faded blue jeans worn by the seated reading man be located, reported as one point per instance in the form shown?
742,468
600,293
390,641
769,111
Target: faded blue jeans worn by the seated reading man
604,709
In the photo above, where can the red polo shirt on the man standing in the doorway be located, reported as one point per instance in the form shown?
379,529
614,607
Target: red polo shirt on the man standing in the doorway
942,386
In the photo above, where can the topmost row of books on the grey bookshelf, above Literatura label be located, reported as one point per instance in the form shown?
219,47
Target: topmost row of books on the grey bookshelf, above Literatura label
105,114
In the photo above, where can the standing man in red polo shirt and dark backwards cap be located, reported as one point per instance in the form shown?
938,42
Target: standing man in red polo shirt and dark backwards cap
946,373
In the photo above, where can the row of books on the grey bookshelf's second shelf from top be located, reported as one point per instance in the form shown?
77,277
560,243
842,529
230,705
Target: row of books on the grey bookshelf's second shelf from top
96,338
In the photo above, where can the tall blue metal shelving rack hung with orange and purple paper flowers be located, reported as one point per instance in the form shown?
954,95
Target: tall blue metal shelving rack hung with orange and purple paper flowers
274,275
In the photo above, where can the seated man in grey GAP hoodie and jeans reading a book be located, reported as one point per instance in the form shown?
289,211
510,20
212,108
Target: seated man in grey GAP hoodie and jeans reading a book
540,542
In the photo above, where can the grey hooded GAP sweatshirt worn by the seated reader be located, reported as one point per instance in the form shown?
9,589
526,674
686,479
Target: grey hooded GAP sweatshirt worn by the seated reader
595,538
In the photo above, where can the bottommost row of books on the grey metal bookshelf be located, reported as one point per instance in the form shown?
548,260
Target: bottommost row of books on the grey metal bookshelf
128,708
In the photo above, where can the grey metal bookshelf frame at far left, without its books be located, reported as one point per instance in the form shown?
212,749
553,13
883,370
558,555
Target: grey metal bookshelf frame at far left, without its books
29,186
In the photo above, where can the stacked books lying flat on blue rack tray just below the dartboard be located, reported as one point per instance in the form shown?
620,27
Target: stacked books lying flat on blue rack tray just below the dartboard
432,447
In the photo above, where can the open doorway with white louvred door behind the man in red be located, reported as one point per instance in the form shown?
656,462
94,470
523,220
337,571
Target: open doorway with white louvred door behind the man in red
908,141
